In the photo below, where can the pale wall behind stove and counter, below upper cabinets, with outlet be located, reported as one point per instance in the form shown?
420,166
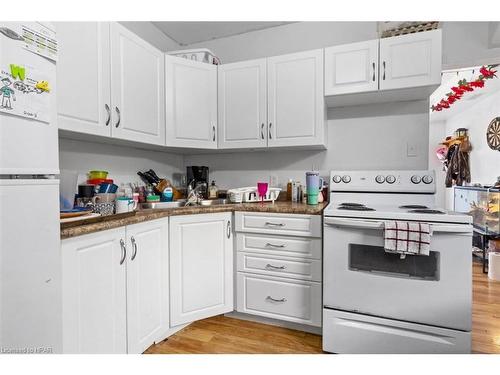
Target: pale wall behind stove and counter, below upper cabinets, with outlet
364,137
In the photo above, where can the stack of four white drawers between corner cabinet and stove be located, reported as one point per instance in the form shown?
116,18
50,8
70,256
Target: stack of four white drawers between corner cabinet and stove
279,266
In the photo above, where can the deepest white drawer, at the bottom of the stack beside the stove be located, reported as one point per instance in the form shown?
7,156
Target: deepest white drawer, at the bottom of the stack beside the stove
278,298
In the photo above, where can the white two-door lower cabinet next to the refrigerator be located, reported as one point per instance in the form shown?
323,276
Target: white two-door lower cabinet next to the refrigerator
115,289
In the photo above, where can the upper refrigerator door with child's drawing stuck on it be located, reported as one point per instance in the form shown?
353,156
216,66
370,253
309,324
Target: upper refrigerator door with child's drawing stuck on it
27,146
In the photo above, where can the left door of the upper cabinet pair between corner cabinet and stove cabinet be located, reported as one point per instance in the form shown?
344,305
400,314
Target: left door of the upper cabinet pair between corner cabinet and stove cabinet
242,104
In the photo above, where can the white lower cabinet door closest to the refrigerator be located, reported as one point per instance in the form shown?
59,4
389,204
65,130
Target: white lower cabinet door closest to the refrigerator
94,294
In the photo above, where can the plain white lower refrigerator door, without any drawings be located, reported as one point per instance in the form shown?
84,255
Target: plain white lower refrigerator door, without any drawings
30,266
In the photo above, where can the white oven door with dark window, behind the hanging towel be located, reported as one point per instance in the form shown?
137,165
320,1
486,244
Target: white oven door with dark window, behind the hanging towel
359,276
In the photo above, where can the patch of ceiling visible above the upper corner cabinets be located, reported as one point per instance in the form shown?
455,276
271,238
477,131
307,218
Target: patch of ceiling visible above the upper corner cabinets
185,33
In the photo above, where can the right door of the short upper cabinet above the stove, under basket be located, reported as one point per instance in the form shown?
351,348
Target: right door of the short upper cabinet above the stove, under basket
410,60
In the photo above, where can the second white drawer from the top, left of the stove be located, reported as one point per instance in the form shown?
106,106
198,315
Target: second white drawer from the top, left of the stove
279,245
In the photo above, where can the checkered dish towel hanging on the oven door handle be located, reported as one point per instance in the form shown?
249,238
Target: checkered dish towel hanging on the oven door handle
405,237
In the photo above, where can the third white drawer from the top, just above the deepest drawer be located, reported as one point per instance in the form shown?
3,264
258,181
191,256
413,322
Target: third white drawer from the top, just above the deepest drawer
295,268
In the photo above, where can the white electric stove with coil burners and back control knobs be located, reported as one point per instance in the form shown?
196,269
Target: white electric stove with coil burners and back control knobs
378,302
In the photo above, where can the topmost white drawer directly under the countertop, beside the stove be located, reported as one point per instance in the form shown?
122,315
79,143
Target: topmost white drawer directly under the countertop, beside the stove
288,224
